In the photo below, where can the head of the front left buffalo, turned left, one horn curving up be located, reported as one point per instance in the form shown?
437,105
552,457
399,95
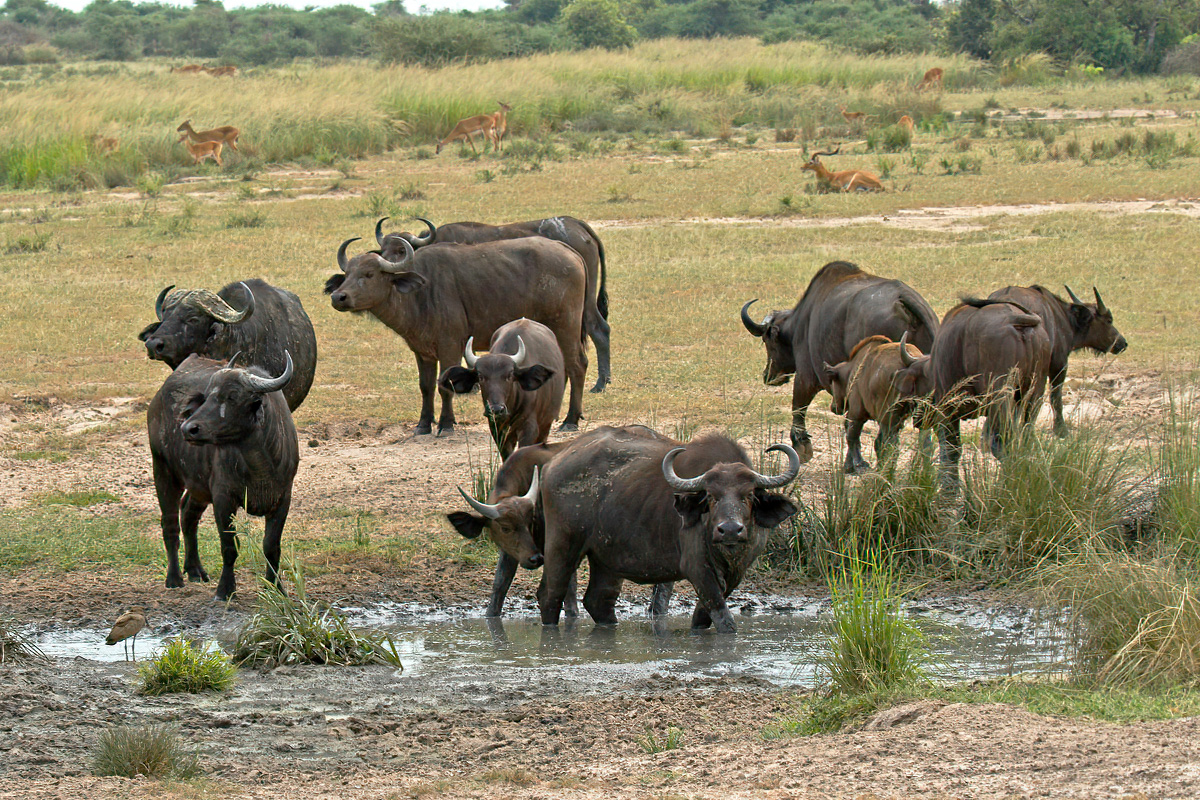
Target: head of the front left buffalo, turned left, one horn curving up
229,411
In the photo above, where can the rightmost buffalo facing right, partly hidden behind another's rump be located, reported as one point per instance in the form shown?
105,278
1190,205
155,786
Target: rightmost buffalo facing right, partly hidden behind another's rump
1072,326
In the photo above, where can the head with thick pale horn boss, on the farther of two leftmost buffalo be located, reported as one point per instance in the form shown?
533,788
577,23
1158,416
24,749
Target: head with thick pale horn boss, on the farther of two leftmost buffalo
189,321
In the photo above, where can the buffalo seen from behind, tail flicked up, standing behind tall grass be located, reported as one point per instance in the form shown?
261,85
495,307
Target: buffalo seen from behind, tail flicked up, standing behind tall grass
991,358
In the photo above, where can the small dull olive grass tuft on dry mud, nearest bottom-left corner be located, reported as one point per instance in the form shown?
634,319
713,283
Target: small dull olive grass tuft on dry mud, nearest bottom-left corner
152,751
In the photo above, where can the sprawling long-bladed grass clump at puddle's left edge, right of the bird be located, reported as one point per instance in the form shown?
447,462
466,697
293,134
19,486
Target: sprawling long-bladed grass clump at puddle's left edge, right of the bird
301,631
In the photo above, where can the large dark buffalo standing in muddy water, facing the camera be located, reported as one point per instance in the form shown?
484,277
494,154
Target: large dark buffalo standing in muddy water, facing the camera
615,497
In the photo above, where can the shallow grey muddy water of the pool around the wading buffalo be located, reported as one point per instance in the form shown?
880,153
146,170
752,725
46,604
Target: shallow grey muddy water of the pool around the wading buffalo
779,641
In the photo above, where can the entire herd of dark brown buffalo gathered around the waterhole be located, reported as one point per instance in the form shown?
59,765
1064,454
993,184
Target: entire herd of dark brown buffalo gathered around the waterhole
635,504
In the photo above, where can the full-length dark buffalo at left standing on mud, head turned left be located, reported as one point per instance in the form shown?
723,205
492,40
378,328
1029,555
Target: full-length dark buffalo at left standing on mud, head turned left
226,437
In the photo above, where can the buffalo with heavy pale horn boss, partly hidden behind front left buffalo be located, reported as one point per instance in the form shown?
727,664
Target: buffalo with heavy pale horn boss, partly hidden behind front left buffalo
271,322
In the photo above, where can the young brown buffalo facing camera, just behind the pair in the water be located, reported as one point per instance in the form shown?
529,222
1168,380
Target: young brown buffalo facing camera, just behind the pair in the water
521,381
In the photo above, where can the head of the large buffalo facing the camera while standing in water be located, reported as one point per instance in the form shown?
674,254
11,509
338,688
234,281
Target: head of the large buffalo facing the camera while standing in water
730,498
